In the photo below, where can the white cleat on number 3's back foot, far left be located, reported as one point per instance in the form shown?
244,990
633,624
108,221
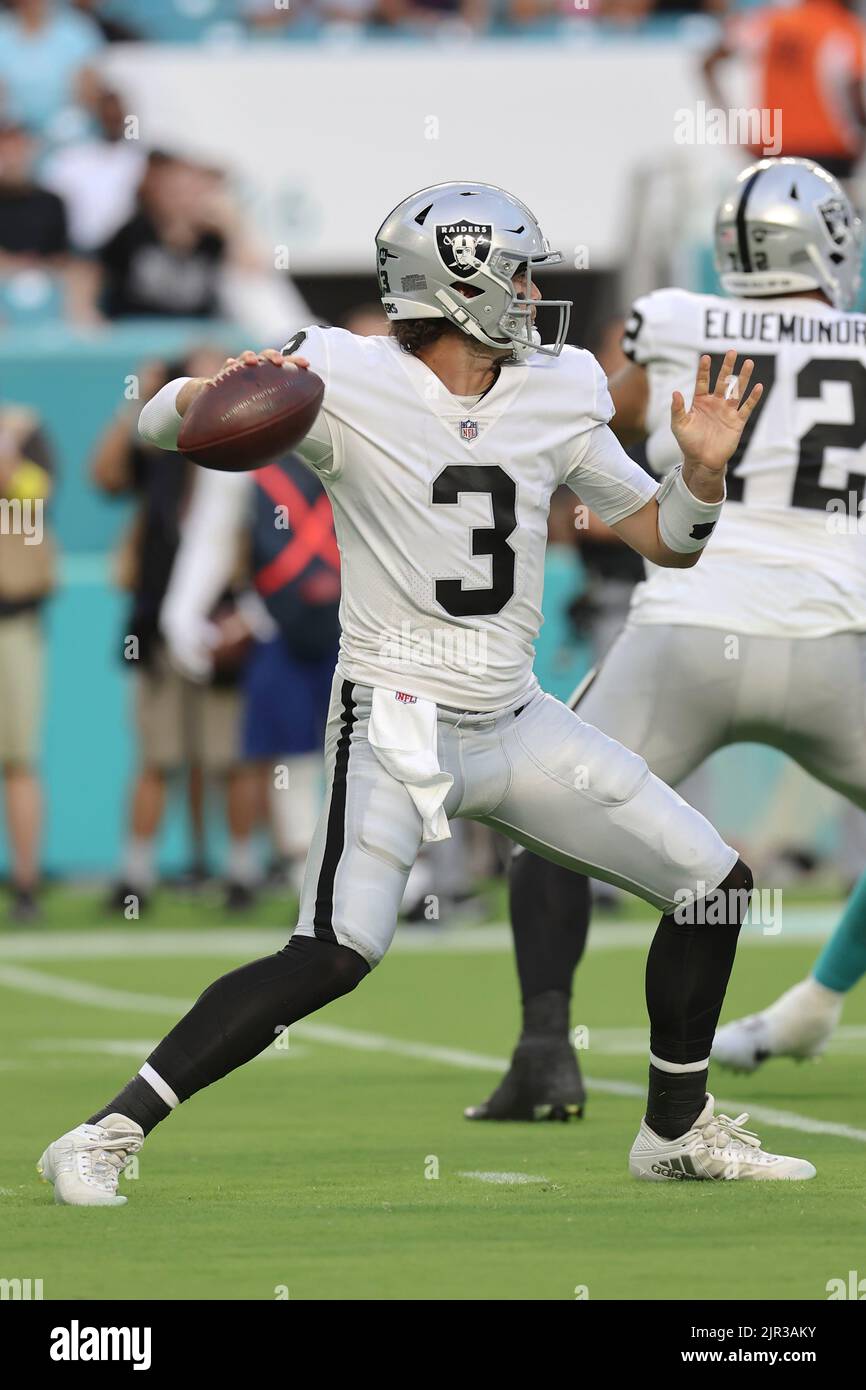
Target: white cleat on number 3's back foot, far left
85,1164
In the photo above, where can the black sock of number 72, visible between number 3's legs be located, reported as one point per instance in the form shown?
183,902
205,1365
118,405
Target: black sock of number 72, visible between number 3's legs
550,921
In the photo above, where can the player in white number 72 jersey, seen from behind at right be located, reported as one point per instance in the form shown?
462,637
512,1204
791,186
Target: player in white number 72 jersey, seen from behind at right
767,641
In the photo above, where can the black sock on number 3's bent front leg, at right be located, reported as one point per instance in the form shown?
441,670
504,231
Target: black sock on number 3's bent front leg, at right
687,972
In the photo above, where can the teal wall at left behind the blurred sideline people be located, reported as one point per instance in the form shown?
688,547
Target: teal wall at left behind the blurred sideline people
77,383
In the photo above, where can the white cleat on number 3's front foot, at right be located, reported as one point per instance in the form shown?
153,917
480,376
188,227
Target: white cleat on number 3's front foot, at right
715,1149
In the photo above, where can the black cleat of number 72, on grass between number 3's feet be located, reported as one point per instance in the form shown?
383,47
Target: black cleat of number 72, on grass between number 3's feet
543,1084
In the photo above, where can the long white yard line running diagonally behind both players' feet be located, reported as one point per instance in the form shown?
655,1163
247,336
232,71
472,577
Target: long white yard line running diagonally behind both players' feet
95,996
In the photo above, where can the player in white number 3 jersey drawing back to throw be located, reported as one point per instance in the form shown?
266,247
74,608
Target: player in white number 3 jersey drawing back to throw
436,711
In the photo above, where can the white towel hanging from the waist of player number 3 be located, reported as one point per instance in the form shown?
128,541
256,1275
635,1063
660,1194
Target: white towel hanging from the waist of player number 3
402,733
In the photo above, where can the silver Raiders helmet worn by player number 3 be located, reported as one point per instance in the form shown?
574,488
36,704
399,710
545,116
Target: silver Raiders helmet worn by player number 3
451,251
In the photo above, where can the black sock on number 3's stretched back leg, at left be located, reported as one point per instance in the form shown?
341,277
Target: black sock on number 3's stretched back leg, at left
234,1021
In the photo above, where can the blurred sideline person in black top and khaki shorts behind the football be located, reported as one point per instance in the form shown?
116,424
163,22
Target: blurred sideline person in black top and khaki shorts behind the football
180,723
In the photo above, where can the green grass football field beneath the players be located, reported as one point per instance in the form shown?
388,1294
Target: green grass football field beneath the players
343,1168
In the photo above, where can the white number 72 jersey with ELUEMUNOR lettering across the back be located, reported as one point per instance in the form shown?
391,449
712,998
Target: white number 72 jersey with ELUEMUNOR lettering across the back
787,557
